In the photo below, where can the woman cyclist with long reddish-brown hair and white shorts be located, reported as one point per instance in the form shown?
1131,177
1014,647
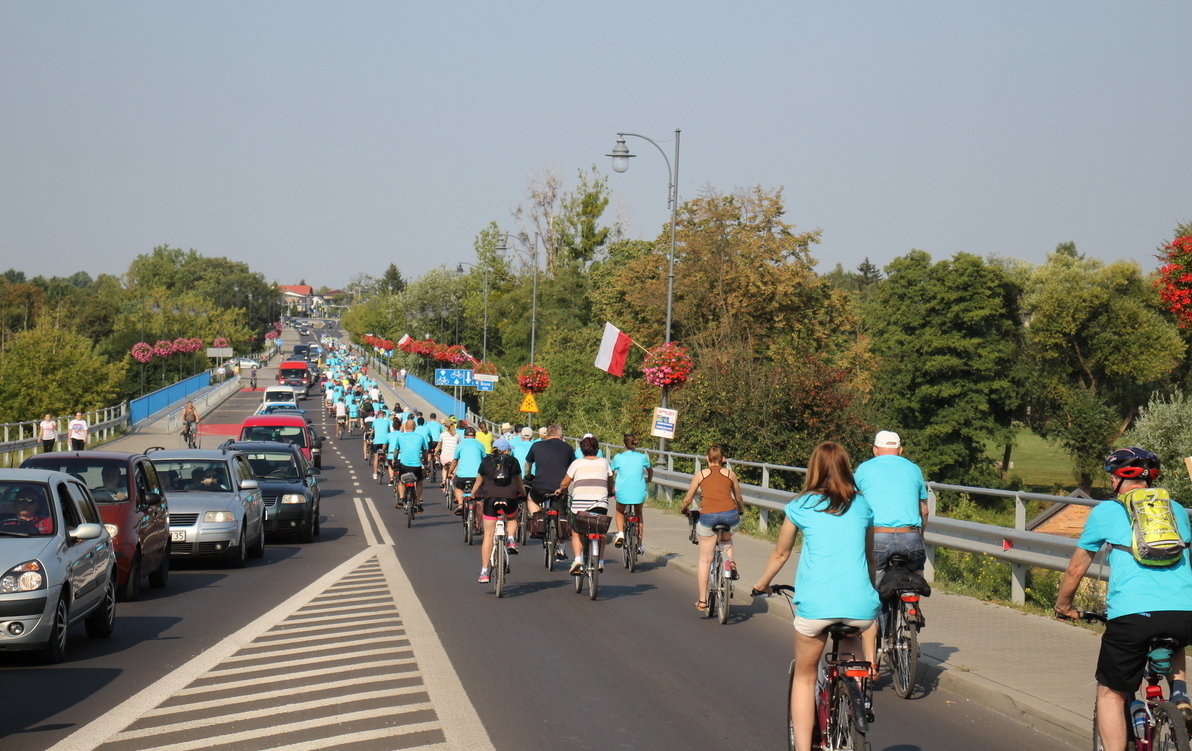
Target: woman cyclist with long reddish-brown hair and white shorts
834,584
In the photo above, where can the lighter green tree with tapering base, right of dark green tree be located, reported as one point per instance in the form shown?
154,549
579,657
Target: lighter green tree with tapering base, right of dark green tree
1100,347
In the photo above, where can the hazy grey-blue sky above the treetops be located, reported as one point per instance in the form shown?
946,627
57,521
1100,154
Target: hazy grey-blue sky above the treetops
321,140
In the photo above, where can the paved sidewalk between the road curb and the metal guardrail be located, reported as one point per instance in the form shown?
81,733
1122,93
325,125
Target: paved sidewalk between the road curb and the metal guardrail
1033,669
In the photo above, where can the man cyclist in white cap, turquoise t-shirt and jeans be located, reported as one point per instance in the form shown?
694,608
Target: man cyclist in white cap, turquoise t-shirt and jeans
898,494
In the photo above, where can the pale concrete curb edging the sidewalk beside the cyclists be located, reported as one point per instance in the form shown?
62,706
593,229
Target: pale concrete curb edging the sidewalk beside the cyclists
1054,722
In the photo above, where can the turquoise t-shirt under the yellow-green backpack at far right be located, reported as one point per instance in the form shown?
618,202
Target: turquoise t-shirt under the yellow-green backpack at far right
1135,588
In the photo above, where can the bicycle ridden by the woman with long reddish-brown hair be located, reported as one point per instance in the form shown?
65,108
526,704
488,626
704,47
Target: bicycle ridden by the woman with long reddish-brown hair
842,692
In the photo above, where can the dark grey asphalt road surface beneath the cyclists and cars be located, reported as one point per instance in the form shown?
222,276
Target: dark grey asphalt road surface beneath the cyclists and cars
543,667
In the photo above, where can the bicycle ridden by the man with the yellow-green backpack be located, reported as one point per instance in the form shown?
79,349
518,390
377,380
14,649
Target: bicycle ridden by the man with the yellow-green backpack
1152,723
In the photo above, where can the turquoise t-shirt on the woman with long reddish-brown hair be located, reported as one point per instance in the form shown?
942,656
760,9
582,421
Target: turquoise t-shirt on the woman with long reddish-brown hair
833,581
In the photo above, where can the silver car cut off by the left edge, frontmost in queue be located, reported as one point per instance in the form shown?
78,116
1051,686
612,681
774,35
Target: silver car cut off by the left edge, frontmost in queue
58,562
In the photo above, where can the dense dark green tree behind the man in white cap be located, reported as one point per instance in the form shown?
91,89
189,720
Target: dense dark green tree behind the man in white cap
948,337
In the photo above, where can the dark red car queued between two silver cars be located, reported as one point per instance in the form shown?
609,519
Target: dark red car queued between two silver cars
132,506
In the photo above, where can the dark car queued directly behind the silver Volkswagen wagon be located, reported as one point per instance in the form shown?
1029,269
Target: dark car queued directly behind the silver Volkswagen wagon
288,483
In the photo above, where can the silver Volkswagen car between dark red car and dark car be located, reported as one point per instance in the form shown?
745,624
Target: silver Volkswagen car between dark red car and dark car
216,508
